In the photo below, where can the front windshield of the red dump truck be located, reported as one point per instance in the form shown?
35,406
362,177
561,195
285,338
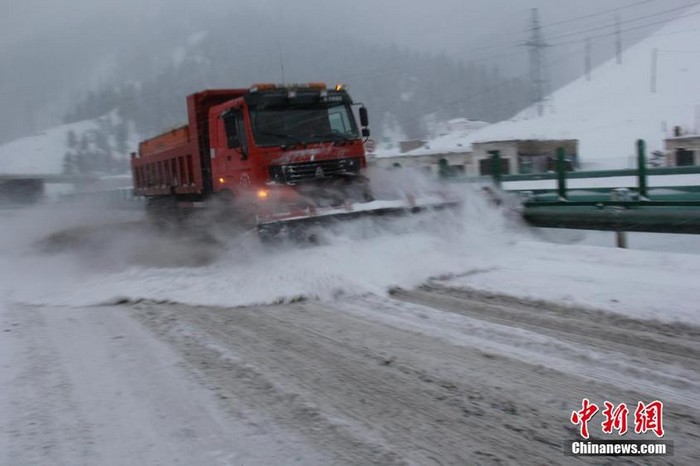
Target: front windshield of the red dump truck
295,124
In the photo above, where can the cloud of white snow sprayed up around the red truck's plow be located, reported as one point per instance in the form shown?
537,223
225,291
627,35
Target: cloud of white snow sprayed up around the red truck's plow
114,255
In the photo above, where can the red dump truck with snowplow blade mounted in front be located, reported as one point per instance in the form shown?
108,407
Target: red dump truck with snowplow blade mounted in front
272,155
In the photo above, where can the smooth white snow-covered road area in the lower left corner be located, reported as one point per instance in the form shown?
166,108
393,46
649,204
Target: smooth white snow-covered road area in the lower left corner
91,386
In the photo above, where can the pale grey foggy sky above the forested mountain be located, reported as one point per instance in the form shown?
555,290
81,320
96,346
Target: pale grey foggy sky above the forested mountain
39,36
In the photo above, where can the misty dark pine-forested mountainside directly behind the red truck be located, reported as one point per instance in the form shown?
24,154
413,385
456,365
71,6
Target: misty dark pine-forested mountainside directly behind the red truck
378,76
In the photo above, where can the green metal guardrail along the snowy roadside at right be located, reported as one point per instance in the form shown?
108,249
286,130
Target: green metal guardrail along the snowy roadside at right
673,209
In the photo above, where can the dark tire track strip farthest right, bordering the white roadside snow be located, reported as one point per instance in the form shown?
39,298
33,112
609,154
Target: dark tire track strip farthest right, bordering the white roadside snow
665,354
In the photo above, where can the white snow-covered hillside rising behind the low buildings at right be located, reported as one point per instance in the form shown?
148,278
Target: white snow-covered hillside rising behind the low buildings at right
621,102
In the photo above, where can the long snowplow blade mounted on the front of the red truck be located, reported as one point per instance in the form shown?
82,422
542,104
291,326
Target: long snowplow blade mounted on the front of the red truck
295,225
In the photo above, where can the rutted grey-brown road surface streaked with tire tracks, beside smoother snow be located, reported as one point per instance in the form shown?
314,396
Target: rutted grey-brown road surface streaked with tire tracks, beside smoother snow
389,381
